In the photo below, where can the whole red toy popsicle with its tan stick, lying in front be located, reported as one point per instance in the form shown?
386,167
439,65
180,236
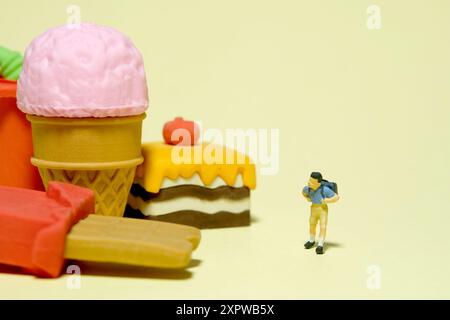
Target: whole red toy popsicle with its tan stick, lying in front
38,230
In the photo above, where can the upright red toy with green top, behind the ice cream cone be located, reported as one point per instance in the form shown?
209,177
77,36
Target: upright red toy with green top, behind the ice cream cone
15,143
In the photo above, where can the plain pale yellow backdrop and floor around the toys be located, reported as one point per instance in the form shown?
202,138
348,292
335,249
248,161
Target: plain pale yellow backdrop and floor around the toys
369,108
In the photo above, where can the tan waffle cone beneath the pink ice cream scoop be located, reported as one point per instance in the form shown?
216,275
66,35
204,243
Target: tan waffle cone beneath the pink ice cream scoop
100,154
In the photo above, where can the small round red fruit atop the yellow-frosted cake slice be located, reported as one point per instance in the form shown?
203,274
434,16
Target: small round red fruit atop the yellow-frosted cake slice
181,132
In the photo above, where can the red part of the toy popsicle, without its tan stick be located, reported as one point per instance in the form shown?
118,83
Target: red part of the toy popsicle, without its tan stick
34,225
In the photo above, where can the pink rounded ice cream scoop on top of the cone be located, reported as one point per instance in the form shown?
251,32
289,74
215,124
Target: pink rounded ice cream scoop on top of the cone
82,70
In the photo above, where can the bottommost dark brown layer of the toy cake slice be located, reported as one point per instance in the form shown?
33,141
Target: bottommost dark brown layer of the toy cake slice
221,219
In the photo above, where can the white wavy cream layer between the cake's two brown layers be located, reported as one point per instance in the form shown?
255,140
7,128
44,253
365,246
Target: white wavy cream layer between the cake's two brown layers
155,208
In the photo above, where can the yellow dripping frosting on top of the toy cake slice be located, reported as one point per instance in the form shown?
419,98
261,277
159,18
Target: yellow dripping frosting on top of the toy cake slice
207,160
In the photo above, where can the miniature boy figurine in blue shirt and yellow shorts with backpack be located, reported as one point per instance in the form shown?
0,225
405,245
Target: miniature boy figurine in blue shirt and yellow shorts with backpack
319,192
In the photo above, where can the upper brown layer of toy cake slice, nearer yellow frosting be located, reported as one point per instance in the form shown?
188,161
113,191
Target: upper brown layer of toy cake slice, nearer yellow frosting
198,192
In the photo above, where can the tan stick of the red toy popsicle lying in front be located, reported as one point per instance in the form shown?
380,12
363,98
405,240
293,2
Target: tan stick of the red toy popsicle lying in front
132,241
